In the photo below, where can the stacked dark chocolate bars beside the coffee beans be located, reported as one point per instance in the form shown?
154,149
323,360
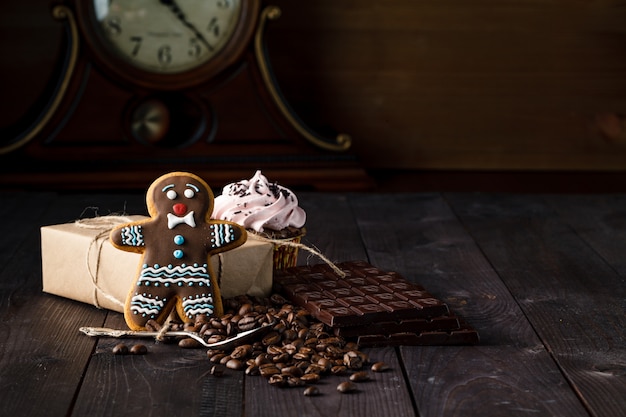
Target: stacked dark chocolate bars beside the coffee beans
377,307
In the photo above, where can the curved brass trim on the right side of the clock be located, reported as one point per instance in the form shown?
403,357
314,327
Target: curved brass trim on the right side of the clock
341,142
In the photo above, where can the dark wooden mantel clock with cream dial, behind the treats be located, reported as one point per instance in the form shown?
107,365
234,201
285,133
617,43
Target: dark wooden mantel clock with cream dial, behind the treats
147,86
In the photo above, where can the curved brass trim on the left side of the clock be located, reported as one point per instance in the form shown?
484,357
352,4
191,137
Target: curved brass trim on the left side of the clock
60,13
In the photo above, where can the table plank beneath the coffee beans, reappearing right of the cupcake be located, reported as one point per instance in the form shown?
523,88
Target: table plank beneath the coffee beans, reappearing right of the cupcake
332,229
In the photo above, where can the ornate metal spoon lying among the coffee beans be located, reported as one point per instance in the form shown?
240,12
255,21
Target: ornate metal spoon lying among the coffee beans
224,344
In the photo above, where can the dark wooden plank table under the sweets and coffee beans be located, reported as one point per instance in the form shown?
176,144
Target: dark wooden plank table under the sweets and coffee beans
541,277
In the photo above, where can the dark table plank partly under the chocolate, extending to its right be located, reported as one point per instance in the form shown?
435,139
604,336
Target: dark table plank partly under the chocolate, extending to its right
510,372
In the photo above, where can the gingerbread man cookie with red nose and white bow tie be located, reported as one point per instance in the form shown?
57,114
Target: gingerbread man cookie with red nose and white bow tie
176,244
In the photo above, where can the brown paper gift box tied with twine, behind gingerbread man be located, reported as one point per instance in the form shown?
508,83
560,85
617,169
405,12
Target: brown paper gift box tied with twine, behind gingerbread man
79,263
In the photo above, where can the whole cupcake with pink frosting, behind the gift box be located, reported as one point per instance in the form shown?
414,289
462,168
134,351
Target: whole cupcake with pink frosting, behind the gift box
265,209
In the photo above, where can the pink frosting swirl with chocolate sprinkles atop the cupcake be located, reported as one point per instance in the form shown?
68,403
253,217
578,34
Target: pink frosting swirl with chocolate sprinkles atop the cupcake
257,204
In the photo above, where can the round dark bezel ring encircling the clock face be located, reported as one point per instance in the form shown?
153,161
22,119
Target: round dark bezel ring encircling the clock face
124,71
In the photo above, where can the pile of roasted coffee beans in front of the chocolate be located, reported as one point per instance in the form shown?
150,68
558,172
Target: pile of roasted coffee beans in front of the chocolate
297,351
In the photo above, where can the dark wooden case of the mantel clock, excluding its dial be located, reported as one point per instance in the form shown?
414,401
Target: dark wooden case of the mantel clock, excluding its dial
107,126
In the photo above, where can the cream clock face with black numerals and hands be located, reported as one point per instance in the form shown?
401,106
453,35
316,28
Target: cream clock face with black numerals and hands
166,36
